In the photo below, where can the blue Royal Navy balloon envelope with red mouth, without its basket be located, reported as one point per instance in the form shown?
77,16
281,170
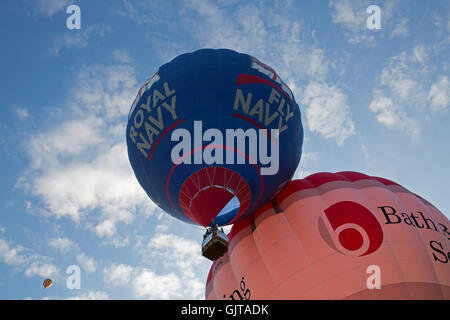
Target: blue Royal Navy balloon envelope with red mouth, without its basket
213,135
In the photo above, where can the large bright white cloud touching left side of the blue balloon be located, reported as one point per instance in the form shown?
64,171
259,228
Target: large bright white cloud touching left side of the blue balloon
107,183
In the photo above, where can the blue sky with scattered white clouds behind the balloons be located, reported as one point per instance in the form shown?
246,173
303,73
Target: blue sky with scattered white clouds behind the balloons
374,101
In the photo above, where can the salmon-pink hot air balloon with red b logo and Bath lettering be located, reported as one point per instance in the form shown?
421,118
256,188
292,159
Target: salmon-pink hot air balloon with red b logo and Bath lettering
337,236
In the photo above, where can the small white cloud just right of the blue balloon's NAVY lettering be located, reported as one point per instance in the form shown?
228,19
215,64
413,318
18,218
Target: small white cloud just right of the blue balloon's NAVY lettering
327,112
